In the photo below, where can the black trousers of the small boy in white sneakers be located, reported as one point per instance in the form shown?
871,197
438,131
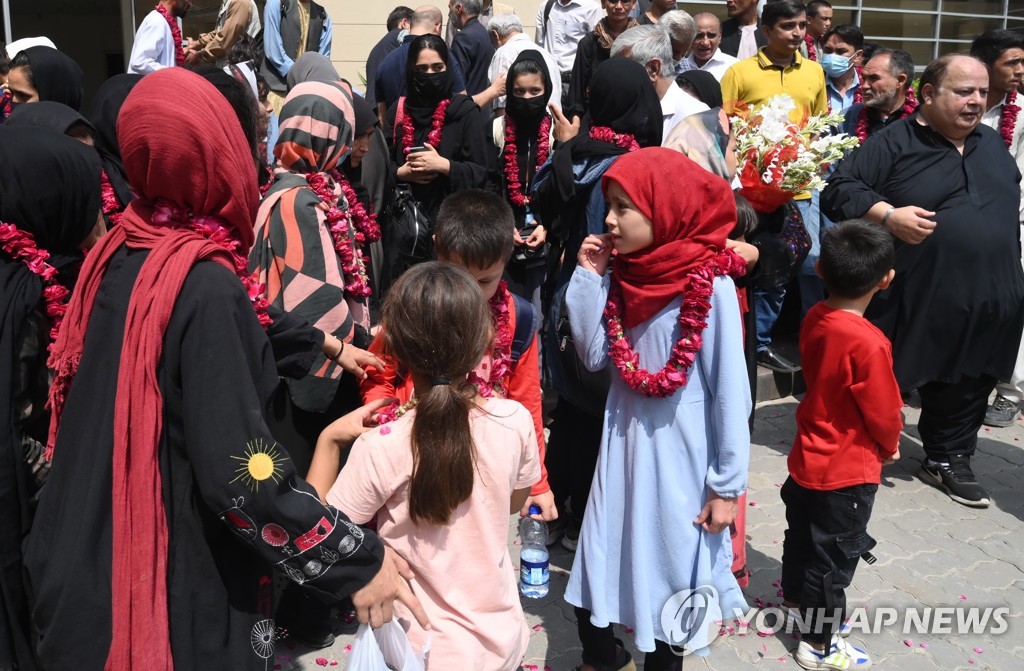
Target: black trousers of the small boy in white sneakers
827,535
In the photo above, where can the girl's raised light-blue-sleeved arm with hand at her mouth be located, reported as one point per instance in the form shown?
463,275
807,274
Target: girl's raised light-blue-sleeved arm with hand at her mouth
586,299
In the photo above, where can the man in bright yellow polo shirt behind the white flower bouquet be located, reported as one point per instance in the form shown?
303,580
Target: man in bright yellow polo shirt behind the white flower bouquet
779,68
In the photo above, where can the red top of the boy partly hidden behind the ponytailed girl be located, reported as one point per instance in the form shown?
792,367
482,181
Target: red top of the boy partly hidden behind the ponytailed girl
523,383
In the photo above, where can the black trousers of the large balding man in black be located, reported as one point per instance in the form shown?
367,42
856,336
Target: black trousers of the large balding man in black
952,415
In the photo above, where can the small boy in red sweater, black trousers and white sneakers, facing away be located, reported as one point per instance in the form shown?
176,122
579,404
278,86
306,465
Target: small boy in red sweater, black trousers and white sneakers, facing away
848,426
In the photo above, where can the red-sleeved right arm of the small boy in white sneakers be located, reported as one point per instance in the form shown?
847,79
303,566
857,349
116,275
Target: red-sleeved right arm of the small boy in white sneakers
877,394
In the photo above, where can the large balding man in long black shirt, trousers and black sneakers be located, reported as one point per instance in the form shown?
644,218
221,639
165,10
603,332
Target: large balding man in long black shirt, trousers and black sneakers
948,189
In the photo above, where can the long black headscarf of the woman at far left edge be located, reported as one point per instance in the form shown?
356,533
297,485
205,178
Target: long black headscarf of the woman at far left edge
50,187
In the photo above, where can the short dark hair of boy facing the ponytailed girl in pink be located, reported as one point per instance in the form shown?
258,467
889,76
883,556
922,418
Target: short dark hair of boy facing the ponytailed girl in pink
476,229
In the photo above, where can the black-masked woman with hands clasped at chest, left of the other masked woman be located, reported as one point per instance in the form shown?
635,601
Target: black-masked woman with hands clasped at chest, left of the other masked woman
445,130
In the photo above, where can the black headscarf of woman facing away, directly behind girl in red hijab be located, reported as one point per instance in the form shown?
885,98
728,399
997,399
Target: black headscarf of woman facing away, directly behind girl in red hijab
623,99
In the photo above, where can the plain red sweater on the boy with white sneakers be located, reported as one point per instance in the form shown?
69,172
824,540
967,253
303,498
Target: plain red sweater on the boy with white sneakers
850,420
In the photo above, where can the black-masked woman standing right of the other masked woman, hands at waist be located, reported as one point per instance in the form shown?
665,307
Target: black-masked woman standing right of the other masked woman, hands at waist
524,138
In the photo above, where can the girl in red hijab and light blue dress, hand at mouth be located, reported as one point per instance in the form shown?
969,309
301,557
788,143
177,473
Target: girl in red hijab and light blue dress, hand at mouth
655,299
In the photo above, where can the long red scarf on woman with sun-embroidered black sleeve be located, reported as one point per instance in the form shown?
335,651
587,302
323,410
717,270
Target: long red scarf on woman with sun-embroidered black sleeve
205,166
